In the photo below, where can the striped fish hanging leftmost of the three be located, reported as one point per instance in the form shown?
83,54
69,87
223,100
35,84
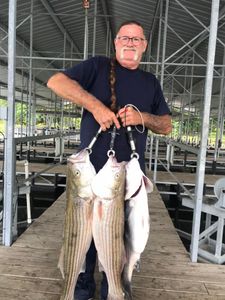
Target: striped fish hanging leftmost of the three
78,220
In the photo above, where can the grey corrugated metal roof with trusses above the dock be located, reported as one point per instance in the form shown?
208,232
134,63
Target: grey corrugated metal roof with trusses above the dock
56,30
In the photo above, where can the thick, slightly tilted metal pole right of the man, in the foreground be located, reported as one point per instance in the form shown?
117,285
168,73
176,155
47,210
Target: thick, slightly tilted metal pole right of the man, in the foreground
205,130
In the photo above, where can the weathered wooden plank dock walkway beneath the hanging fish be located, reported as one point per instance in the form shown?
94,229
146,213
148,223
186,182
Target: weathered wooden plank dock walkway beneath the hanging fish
28,269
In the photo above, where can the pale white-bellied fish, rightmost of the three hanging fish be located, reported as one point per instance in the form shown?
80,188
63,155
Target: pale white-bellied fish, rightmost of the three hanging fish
137,221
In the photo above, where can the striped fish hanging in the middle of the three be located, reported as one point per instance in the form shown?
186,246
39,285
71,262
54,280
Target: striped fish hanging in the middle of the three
108,223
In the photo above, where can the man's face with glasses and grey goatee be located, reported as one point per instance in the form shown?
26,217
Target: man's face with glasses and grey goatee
129,51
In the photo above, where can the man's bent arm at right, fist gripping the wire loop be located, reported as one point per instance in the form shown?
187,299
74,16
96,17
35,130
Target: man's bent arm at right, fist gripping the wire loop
157,124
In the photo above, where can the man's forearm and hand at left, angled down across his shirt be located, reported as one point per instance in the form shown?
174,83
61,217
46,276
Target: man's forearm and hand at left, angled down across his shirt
71,90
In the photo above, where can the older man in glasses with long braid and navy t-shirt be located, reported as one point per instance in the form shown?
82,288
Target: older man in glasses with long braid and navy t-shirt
104,87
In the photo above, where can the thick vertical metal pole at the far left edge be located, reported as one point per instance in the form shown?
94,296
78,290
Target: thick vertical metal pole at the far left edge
9,170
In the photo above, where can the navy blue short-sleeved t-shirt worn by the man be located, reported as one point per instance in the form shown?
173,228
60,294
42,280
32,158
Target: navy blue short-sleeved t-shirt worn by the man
136,87
